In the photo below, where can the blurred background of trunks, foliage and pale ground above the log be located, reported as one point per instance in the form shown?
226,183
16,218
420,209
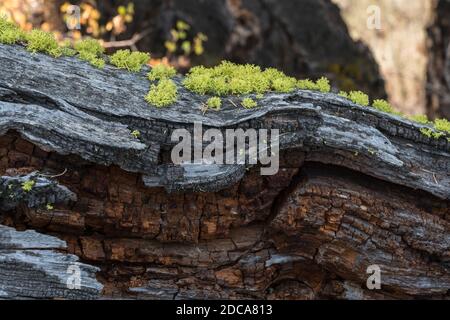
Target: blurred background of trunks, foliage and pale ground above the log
395,49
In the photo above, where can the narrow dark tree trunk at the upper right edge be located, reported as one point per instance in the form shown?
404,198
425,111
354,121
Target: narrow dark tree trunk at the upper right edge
438,88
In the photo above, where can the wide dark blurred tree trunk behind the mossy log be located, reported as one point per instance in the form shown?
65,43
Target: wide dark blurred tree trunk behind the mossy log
304,38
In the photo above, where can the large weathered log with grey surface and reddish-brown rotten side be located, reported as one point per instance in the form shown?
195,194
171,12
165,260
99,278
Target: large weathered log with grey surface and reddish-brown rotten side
356,187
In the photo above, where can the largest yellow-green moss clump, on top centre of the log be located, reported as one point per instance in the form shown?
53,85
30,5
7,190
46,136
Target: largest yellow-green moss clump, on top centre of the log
229,78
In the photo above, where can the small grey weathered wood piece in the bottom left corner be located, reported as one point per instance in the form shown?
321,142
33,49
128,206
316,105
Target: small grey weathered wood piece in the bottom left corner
32,267
